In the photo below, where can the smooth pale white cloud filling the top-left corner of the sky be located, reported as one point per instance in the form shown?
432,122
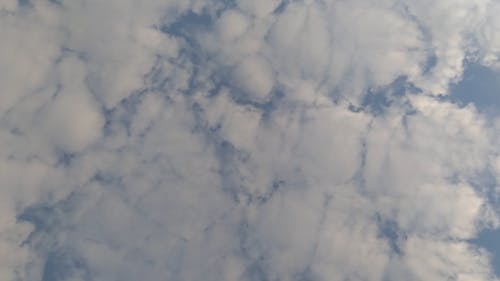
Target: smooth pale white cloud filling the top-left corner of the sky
26,60
